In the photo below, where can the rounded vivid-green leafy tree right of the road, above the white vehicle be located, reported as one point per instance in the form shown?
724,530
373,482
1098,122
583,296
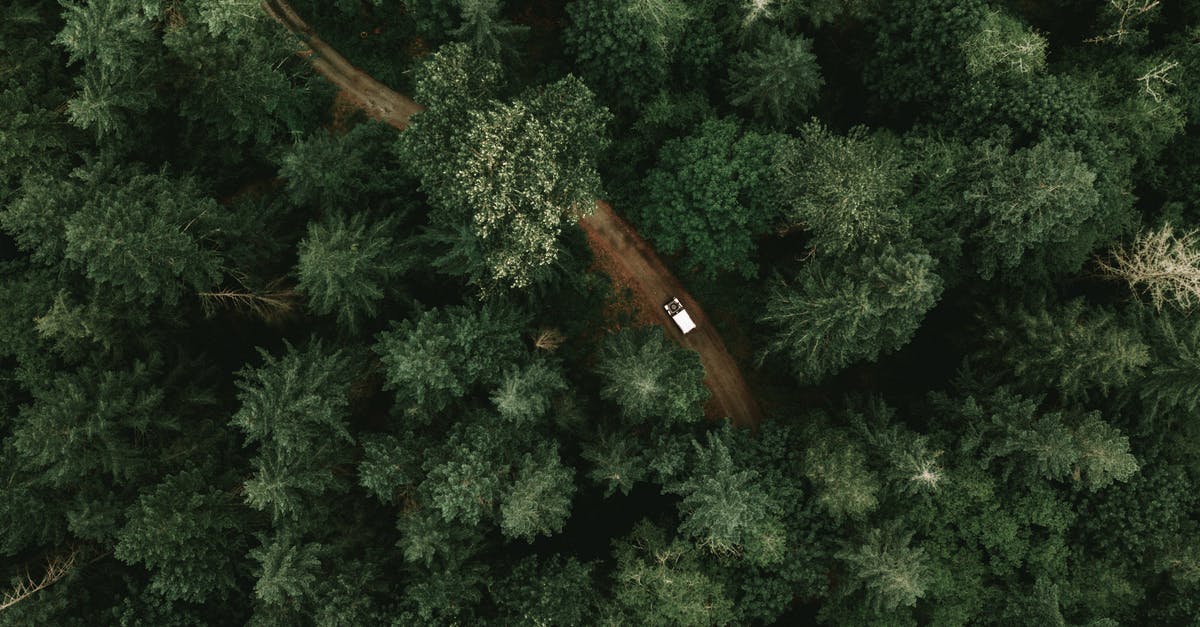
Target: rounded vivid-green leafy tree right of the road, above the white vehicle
710,196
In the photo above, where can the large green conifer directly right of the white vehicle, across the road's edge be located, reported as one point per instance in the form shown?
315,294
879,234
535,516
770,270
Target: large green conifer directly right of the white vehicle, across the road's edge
833,317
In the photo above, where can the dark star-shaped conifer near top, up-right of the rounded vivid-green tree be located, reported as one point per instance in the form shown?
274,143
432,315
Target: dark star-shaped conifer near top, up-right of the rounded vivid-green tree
778,81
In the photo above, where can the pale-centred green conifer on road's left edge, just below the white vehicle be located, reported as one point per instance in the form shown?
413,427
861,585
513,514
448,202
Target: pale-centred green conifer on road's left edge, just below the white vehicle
651,380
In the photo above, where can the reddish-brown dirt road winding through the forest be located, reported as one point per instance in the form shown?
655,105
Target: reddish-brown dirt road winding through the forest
623,254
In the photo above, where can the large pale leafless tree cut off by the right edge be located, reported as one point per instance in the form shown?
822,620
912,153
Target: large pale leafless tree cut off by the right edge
1162,265
